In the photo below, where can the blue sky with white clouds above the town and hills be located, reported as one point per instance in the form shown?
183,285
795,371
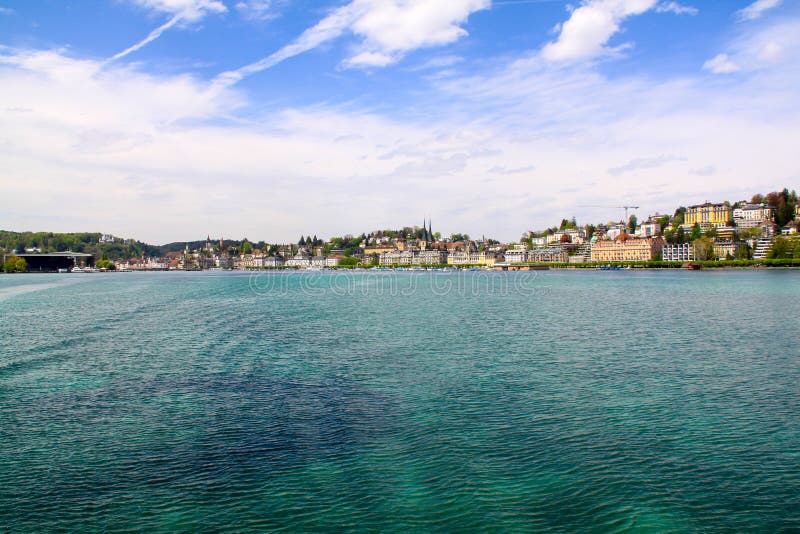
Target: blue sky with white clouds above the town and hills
170,120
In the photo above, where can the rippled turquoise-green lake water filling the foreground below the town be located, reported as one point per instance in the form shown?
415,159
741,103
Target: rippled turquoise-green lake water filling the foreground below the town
553,401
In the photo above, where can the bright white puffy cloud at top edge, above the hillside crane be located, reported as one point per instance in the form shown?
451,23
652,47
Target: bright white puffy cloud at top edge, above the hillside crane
590,27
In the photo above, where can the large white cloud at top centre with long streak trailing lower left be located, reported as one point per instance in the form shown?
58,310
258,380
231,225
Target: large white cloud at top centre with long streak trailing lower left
388,28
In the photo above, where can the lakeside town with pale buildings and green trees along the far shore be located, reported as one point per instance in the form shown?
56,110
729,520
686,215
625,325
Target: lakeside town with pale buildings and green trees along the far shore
765,227
